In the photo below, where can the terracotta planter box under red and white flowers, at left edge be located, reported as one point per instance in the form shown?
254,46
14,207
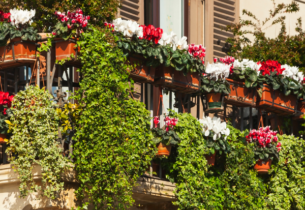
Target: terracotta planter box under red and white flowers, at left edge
17,53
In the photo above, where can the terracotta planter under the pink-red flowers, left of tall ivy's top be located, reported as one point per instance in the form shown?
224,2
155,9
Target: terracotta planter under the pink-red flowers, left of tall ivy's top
66,49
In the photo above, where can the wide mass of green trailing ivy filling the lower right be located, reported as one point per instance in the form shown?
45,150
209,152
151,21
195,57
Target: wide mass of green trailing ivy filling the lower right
233,183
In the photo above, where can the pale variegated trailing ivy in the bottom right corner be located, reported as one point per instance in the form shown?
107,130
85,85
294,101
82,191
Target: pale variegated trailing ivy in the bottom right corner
287,184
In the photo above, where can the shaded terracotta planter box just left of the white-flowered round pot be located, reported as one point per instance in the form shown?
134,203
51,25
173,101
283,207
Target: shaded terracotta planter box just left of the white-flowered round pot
176,80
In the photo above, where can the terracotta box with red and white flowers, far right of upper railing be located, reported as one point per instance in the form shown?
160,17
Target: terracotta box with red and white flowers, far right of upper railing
280,86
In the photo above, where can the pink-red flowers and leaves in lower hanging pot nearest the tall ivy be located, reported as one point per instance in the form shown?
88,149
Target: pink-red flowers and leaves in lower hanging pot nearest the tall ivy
165,135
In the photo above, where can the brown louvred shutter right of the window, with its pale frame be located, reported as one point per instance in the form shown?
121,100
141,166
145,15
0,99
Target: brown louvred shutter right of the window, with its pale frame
219,14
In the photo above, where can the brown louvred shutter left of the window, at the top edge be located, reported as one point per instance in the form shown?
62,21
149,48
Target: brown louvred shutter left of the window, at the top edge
132,10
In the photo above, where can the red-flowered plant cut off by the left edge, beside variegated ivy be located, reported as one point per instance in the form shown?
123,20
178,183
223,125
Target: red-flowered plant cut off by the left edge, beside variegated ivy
5,113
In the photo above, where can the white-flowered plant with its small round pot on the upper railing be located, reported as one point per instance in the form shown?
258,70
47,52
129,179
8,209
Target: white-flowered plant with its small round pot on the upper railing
214,85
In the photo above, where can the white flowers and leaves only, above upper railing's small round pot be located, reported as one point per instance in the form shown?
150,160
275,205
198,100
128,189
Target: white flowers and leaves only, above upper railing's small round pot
215,78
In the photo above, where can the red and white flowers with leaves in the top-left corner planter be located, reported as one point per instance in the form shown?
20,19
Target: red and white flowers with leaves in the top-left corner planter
16,24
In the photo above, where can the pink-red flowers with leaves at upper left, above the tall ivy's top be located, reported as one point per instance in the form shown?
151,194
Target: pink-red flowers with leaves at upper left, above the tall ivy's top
70,24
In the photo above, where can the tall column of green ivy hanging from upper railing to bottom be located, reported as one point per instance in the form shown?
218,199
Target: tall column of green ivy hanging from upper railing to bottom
113,142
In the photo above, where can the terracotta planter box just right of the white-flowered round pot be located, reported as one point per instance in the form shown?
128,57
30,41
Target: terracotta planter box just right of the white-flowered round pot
240,95
